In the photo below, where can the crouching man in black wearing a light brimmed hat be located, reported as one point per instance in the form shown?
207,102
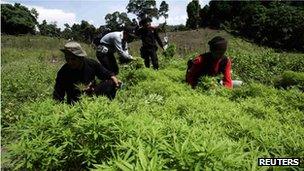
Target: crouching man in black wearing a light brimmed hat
81,70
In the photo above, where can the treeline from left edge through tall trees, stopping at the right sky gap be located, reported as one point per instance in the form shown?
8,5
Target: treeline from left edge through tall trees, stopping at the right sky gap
17,19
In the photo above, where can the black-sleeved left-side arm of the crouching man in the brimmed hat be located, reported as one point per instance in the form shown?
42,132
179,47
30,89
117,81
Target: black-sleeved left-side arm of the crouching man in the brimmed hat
60,87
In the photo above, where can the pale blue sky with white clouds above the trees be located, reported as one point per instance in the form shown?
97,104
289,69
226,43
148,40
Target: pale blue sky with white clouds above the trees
94,11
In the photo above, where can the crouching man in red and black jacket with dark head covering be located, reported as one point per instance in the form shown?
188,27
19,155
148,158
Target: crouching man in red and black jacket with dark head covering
212,63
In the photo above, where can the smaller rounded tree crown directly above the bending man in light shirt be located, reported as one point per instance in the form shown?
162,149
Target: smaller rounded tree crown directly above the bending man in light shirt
116,20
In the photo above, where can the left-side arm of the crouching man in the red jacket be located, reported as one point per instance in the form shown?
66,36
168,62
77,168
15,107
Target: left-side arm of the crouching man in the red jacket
193,74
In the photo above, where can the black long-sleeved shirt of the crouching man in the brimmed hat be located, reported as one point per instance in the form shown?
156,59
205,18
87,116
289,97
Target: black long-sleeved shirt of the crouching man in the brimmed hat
68,78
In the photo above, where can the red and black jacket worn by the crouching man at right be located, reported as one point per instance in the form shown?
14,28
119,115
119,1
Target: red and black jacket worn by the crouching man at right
205,65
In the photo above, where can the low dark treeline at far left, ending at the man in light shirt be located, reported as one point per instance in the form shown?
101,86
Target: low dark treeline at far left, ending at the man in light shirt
17,19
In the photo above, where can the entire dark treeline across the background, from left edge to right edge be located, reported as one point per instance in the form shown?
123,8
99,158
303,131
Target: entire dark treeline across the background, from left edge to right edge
279,24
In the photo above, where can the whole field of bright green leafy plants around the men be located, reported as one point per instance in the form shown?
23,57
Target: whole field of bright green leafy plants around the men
156,122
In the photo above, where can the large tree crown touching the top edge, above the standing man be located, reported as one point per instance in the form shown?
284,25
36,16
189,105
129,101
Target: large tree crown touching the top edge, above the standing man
143,8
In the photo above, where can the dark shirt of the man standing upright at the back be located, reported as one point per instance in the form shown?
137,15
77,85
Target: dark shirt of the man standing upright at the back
149,37
